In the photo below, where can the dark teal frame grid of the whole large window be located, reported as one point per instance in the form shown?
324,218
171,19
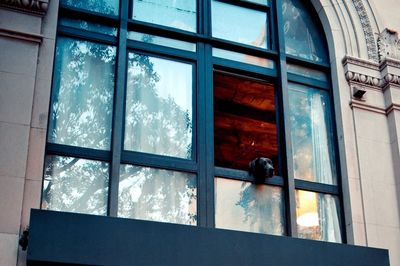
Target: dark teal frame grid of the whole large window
202,162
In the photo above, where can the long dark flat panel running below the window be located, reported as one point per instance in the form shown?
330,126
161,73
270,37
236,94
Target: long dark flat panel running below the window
56,238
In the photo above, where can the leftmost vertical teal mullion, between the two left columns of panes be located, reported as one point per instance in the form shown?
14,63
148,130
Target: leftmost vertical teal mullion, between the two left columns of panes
118,111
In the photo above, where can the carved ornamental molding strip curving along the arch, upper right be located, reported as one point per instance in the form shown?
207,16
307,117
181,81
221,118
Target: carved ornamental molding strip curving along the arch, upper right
367,28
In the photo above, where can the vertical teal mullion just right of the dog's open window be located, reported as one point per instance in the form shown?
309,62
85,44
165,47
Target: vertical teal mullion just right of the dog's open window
285,141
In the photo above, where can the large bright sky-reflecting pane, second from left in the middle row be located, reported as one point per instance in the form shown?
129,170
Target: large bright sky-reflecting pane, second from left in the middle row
159,106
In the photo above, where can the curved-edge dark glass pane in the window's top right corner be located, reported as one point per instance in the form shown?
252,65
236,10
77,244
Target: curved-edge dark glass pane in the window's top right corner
302,37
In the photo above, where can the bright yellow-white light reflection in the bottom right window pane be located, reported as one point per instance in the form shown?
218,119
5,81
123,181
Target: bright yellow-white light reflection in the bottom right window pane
307,212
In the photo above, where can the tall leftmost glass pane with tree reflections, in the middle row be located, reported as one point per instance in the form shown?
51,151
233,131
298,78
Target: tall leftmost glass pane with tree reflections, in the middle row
82,103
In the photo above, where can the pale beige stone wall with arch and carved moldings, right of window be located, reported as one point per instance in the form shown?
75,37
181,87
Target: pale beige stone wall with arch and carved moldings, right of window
368,128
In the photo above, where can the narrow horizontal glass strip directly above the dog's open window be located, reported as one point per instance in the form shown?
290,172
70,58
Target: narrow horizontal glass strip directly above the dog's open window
244,58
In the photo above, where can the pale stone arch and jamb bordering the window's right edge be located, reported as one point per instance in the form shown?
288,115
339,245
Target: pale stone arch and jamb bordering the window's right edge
351,30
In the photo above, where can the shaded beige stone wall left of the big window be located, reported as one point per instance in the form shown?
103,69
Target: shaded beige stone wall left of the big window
26,56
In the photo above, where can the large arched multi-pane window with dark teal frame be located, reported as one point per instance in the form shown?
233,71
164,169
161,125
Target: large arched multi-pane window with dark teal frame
158,107
